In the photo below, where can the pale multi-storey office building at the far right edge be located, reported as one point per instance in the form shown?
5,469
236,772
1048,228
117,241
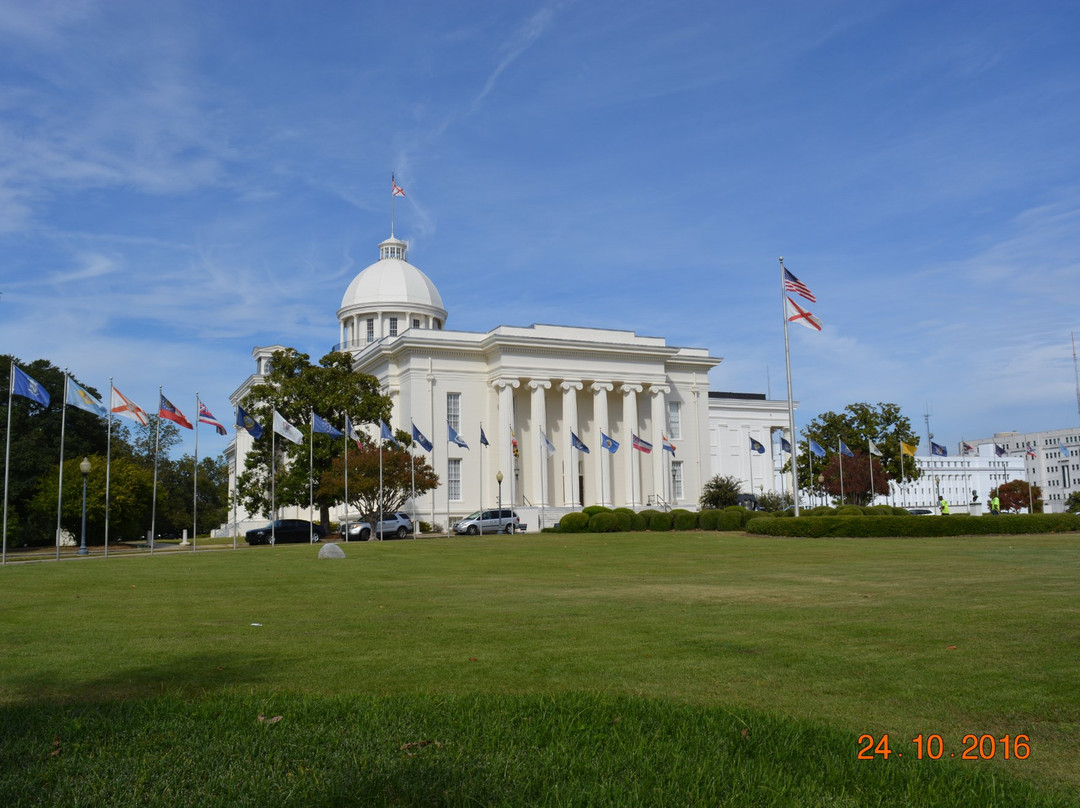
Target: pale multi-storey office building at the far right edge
1054,462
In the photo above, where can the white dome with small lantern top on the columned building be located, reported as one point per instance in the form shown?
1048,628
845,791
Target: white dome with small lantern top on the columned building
389,298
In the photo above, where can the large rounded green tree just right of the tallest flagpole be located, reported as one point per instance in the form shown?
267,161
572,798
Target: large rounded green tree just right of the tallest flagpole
883,424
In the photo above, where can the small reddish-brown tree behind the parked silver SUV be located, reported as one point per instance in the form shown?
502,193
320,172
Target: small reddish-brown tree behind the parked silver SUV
399,469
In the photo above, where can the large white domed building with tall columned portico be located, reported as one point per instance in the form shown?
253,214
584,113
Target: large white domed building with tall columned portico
538,385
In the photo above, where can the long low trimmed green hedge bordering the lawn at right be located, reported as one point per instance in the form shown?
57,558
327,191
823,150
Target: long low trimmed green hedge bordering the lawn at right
916,527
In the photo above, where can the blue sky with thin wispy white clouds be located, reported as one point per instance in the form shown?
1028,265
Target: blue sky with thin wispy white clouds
181,182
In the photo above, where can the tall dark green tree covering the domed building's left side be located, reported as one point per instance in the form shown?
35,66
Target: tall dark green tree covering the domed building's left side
296,388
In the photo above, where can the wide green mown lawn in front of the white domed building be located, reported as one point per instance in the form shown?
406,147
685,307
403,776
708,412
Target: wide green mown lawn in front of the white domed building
623,669
